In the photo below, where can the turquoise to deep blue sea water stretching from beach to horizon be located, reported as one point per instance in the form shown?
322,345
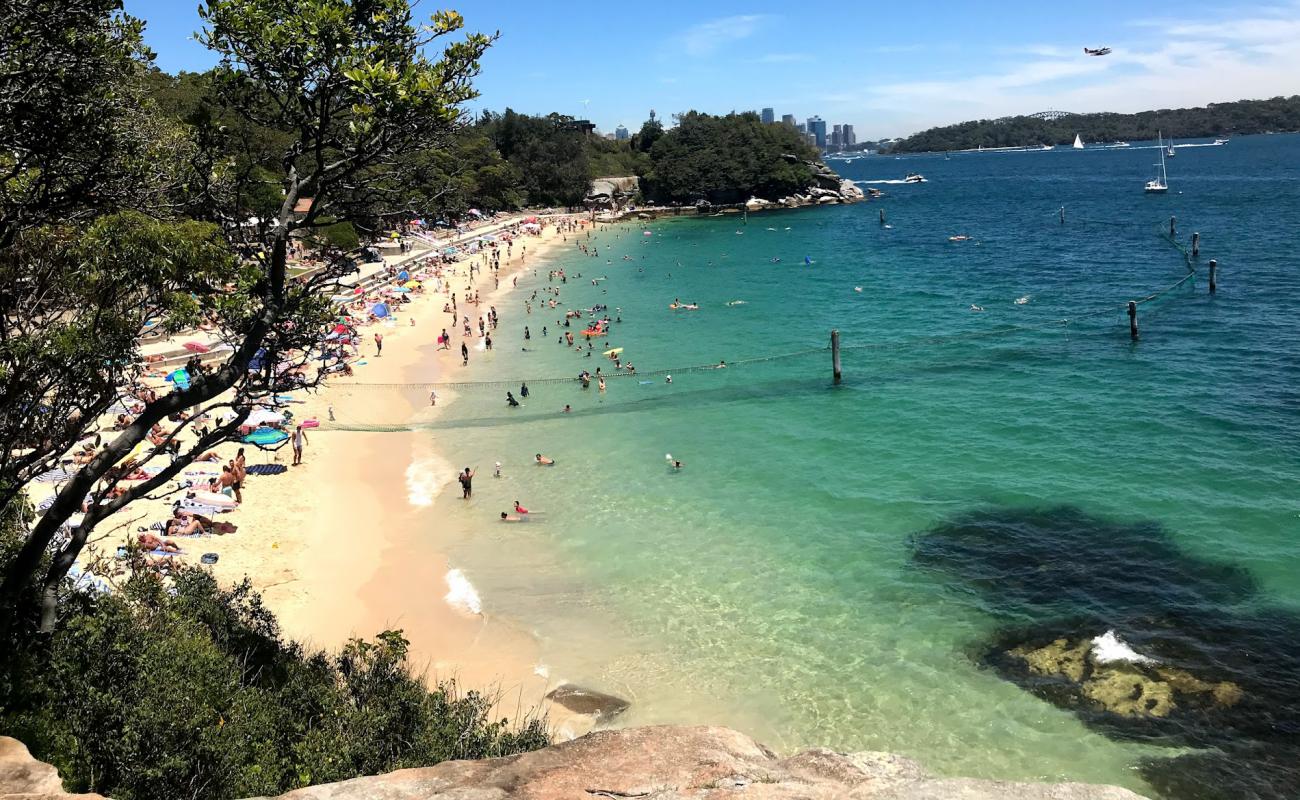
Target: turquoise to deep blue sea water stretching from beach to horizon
837,564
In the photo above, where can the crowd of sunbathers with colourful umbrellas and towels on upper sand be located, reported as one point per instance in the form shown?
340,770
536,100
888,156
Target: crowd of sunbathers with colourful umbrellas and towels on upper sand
210,495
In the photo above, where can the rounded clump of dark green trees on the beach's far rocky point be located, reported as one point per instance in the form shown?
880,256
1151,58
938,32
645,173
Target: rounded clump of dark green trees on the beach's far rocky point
727,161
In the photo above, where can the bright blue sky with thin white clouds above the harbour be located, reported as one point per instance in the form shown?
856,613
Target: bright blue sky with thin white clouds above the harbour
889,68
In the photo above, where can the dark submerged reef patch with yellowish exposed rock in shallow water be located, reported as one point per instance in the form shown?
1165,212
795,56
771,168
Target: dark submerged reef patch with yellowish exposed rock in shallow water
1224,671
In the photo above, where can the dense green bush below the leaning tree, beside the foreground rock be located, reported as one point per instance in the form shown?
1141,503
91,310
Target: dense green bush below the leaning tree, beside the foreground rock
181,689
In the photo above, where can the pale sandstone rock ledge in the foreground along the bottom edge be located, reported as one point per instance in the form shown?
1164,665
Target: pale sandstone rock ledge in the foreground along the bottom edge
666,763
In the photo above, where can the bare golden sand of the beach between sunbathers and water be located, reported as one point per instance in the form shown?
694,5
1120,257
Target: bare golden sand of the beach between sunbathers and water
339,547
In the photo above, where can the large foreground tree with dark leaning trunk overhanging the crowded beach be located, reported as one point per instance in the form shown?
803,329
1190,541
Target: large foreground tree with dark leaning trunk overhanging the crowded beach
349,87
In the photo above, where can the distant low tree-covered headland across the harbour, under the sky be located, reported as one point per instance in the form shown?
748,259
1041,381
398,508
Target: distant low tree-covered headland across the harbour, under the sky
1215,120
